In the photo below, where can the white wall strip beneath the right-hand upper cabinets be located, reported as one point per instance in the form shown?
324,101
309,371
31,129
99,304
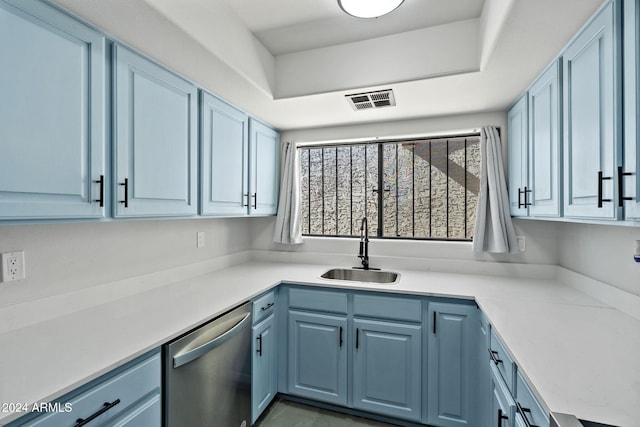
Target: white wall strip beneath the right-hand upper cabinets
602,252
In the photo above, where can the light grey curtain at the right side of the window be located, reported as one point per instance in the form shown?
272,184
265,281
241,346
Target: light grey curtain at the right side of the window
494,230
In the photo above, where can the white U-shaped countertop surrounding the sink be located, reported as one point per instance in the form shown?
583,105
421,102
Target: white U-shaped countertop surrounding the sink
581,356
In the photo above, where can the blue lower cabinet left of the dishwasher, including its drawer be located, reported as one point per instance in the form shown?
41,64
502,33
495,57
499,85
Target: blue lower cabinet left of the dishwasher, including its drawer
129,396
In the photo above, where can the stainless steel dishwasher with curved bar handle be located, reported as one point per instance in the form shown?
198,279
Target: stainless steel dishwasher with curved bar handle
208,374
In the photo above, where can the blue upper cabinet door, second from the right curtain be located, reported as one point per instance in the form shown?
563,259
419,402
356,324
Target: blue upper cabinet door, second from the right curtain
544,144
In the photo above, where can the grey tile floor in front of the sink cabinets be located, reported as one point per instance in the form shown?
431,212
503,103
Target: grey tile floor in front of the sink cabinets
283,413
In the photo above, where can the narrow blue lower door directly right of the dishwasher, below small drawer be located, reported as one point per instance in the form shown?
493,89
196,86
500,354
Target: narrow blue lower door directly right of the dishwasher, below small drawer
263,385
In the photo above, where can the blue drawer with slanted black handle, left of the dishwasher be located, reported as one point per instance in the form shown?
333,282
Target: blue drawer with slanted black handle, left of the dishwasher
112,395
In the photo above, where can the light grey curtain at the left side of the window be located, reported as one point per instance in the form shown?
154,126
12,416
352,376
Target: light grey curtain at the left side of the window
288,229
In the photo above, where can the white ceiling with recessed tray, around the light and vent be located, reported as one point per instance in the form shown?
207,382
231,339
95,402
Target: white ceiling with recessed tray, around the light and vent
291,62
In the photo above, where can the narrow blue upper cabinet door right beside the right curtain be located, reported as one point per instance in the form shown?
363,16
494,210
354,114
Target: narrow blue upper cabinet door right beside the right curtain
518,162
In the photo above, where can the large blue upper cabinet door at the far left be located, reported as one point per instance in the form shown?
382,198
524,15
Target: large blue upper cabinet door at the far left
52,136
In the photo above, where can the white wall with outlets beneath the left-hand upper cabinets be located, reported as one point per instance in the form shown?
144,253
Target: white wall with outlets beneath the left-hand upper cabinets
61,258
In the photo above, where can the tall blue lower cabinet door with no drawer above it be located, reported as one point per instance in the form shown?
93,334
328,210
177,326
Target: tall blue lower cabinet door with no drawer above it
450,369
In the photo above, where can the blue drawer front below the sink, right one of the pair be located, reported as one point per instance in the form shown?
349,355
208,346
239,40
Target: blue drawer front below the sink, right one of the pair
388,307
